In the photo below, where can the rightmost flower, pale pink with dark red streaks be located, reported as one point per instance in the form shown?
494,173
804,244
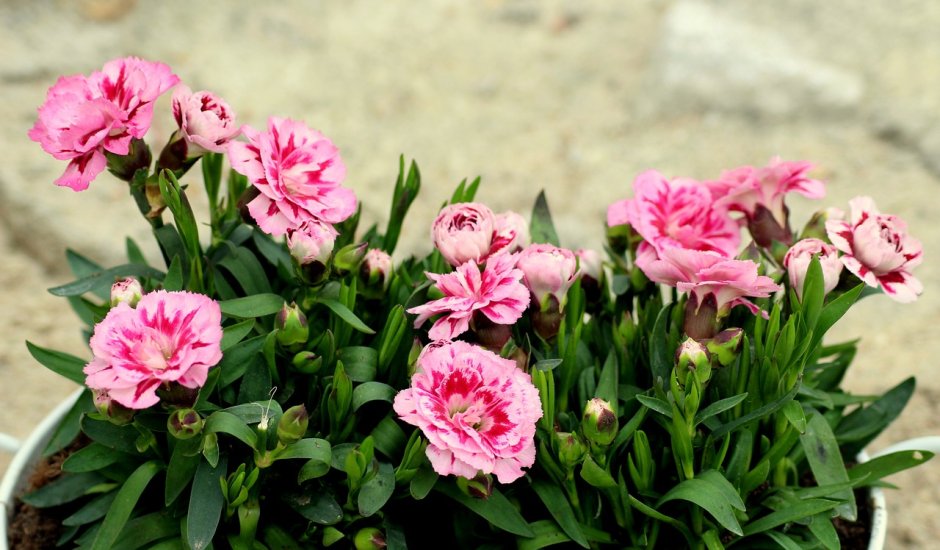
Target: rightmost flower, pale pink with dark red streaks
878,250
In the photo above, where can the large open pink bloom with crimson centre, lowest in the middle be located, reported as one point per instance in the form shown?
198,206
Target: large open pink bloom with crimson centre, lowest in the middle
477,410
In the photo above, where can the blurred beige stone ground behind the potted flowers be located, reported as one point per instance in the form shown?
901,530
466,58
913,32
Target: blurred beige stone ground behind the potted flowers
572,97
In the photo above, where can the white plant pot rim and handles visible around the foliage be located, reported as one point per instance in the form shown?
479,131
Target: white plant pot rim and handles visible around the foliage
14,481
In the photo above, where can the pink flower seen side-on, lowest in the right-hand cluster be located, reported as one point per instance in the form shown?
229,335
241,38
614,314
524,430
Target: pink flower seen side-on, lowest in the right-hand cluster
706,273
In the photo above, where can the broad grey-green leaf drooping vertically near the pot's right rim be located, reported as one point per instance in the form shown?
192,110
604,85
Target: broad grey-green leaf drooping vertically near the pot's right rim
825,460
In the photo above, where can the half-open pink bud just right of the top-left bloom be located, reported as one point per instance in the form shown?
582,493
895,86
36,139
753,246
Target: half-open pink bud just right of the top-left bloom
205,120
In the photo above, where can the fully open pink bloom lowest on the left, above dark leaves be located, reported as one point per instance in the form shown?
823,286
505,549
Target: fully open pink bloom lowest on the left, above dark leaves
168,337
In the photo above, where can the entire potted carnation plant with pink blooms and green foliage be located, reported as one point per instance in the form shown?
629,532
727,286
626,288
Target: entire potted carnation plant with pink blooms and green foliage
289,381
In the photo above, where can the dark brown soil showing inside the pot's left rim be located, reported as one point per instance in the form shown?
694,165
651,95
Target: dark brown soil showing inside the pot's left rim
34,528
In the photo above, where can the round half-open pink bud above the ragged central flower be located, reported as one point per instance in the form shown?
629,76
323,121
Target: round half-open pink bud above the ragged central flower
464,232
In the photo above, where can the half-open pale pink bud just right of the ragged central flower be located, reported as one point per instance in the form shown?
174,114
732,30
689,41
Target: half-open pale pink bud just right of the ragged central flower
548,272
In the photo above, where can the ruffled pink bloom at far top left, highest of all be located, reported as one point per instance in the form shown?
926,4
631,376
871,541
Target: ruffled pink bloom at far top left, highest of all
84,117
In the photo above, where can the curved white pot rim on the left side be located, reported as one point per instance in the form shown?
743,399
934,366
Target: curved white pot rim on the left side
17,473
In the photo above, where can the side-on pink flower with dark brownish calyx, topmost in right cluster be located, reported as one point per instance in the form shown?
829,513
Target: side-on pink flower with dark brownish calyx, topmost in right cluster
758,193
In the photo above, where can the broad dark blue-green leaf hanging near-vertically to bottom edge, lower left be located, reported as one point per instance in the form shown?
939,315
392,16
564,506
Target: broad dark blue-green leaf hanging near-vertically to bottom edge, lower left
205,504
